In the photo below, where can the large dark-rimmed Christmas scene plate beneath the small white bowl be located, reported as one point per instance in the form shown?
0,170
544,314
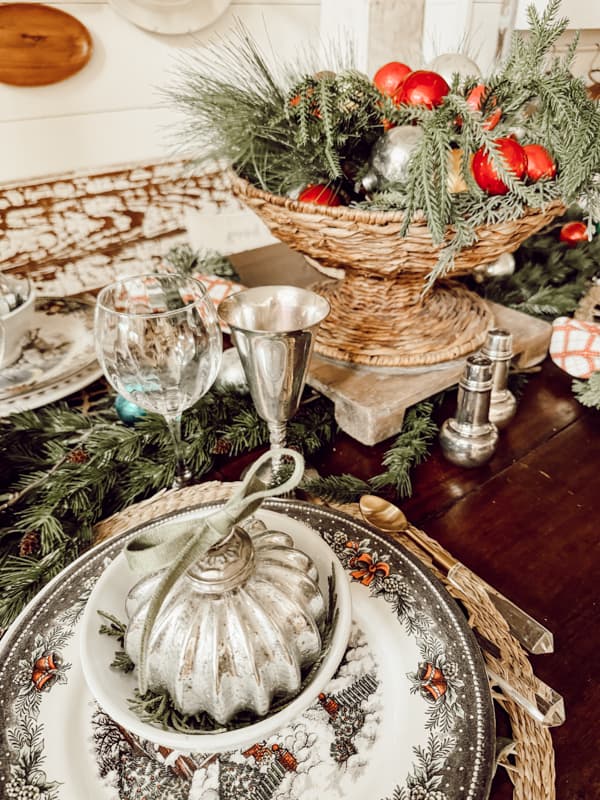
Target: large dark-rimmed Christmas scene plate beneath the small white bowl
408,715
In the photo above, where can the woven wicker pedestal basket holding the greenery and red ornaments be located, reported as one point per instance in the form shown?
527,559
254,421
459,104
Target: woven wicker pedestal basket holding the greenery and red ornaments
378,314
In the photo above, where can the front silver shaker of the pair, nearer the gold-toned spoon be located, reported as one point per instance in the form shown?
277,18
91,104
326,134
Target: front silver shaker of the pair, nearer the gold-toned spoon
469,439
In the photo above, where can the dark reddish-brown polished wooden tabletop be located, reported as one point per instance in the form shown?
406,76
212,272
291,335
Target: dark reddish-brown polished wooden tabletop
527,523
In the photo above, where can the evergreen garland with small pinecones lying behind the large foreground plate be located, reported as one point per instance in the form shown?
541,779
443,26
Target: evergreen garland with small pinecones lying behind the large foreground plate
64,471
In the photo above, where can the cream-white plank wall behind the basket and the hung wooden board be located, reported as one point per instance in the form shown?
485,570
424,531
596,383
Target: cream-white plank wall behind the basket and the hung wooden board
112,112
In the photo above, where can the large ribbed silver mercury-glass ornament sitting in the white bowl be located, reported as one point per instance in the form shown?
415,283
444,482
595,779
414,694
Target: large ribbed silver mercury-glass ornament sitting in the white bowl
237,629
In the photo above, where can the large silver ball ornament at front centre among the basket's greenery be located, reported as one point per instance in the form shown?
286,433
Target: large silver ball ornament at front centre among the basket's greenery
390,155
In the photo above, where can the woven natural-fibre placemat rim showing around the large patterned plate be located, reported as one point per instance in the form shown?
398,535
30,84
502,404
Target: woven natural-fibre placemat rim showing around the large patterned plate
529,761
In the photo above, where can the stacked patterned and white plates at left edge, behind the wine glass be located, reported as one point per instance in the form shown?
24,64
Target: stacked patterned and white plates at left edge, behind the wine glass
58,358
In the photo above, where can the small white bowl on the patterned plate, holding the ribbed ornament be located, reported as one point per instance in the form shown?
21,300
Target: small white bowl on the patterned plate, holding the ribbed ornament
112,689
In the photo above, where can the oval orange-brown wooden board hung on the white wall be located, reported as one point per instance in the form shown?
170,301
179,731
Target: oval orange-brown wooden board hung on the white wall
40,44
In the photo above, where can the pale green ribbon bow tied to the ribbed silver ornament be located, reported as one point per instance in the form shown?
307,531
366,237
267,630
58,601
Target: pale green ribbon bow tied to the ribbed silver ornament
158,549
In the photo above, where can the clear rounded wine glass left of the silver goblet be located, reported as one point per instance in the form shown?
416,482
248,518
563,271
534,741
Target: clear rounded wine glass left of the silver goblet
159,344
